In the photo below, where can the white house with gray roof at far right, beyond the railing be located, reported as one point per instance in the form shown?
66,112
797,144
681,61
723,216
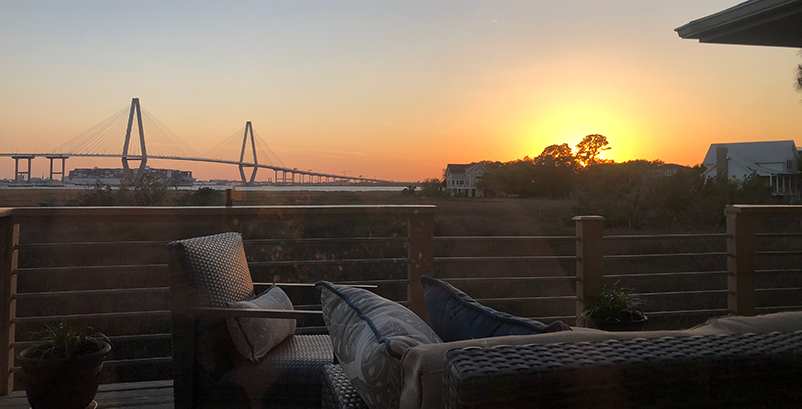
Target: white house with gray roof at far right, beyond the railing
776,161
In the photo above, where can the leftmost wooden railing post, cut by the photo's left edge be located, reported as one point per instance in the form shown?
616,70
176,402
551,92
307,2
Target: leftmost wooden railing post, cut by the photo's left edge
9,239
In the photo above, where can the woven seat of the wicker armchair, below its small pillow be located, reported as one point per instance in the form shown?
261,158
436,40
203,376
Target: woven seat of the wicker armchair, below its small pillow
290,375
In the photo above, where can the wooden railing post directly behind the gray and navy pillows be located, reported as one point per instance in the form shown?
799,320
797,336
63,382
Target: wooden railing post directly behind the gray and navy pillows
420,230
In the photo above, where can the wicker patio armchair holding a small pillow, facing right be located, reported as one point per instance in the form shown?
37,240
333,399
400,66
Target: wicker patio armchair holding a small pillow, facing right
205,273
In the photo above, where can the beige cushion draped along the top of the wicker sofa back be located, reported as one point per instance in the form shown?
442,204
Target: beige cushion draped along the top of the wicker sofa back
422,365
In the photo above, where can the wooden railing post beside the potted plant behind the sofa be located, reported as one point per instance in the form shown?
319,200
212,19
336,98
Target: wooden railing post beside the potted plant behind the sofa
589,260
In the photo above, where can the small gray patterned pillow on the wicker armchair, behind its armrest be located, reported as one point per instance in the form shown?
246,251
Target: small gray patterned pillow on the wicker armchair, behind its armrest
255,337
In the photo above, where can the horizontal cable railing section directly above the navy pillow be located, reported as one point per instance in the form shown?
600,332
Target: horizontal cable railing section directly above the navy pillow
505,281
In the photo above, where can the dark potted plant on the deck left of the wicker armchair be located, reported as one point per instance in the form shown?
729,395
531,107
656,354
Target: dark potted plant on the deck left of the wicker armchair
62,370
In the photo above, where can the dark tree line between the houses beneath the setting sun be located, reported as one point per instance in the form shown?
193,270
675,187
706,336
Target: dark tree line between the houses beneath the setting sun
633,193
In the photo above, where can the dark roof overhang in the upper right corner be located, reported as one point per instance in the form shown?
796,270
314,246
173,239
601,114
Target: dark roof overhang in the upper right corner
755,22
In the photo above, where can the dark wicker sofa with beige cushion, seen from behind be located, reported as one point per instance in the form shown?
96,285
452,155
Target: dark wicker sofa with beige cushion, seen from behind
593,358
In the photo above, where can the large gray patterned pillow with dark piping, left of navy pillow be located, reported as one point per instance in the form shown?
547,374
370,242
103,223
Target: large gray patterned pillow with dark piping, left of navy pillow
370,334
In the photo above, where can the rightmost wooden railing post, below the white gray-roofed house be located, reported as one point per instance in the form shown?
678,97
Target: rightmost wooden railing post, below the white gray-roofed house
740,262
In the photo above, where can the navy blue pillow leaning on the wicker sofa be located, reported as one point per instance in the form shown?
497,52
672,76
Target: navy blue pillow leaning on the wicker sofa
455,316
